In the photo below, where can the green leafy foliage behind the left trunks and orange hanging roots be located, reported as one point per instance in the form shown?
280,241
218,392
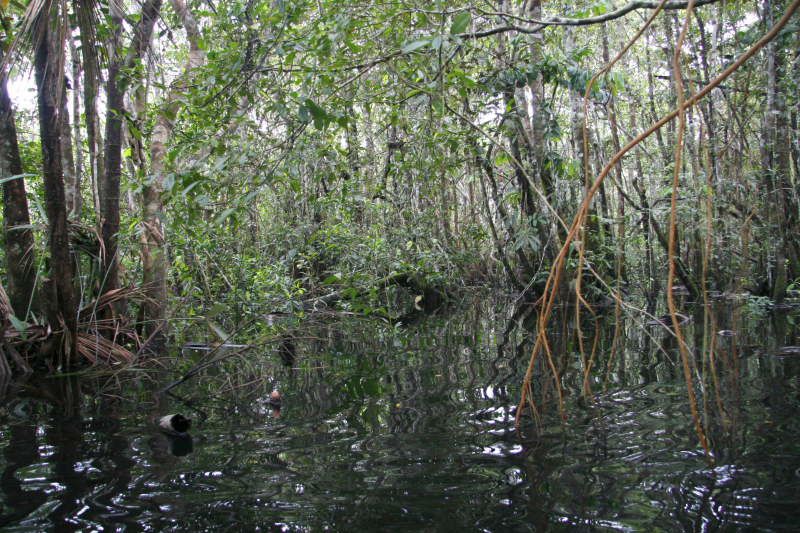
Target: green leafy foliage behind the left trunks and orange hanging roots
329,149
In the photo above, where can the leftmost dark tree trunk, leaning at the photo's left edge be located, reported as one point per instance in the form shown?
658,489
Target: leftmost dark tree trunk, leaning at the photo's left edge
16,220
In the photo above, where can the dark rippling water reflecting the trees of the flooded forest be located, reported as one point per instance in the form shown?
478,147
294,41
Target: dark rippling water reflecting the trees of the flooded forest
412,428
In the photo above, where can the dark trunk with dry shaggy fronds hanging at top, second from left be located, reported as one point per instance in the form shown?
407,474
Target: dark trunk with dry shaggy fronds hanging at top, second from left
49,68
